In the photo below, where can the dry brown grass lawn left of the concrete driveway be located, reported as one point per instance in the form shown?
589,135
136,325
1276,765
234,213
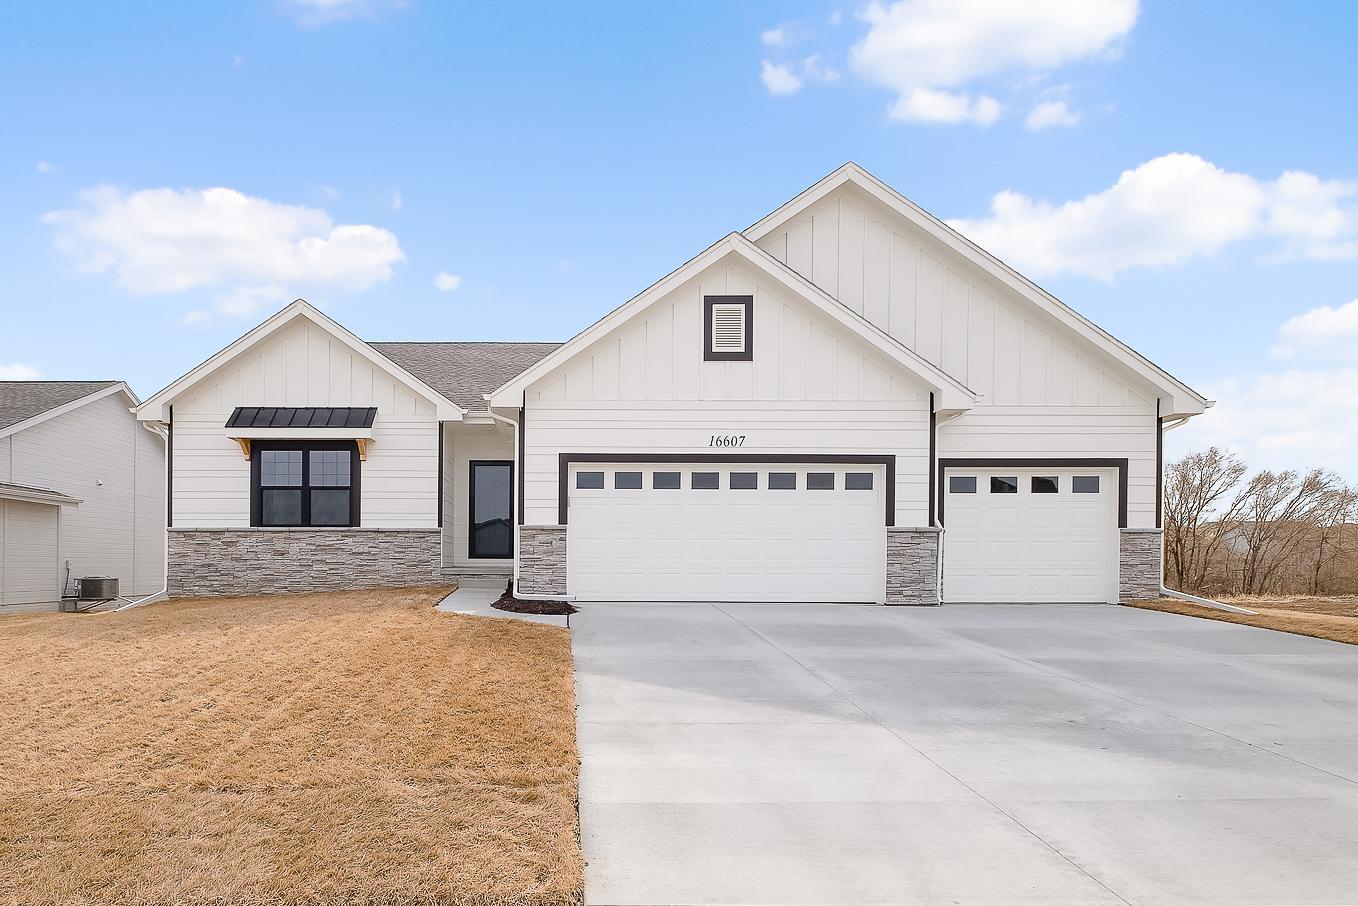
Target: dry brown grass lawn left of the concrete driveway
354,748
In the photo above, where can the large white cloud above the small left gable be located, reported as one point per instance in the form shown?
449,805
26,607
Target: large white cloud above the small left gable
164,241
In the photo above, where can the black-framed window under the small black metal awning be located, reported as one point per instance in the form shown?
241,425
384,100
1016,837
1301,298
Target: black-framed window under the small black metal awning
297,484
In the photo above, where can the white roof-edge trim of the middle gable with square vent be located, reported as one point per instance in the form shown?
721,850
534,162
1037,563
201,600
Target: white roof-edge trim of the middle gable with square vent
954,395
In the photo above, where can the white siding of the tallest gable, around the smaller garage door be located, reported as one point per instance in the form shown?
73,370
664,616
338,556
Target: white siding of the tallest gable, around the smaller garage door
1044,392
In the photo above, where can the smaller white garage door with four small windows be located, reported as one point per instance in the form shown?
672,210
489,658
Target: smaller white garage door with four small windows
1030,536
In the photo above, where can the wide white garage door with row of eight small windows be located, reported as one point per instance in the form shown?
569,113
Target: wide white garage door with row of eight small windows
779,533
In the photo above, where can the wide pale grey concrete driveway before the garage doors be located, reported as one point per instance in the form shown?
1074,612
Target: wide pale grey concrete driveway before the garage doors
962,755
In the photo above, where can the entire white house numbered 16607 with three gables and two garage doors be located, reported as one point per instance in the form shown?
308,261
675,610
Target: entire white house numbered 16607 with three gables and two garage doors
847,401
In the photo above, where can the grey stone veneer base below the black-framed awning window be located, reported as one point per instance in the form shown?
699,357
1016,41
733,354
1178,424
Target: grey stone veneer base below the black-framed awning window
268,562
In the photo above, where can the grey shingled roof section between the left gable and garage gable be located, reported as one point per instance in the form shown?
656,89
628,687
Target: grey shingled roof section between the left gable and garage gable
465,373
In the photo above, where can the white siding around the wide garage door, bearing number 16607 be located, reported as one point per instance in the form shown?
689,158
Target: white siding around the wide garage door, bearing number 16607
813,388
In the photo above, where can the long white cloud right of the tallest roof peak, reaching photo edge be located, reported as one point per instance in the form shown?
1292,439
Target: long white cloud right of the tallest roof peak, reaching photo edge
1164,213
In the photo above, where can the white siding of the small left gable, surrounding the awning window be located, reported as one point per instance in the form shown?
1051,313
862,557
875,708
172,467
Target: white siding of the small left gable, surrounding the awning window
305,366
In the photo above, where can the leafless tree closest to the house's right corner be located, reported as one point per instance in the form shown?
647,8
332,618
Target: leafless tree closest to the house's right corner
1198,511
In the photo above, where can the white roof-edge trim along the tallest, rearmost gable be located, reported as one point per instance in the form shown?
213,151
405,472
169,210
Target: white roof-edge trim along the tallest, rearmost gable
1183,400
